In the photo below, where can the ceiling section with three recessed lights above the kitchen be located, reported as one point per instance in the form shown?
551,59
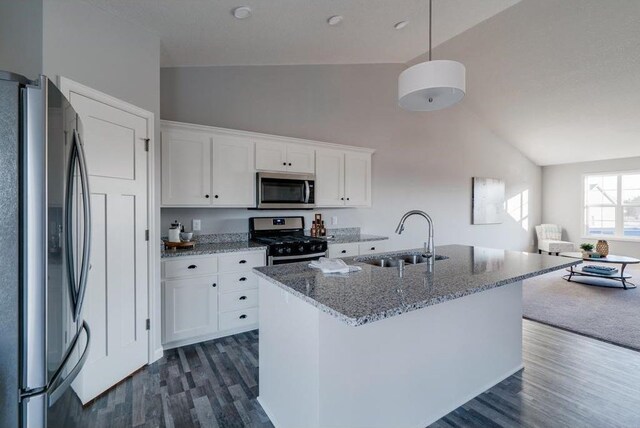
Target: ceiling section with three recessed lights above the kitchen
203,32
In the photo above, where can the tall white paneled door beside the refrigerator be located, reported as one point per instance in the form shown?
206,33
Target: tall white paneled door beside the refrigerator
116,302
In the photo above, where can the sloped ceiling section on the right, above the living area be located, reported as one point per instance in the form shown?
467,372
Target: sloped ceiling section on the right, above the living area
560,80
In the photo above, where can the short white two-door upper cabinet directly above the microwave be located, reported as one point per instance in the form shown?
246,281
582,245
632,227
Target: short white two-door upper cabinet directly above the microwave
285,157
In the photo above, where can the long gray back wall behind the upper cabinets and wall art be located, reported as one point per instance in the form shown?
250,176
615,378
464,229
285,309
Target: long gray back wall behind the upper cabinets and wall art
423,160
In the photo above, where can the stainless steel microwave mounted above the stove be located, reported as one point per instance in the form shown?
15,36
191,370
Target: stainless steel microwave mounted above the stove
285,191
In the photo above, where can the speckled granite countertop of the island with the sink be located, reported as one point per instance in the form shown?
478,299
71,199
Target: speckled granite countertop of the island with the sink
376,293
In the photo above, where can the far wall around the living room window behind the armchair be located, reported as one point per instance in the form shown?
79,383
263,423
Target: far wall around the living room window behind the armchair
562,198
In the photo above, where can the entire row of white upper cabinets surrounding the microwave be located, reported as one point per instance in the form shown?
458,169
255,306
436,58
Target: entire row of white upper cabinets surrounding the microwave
203,166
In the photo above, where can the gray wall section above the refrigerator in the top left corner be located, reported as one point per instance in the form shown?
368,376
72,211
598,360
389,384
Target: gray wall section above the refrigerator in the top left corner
21,37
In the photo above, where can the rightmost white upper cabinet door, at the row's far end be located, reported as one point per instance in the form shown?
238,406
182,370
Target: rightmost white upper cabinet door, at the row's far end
357,181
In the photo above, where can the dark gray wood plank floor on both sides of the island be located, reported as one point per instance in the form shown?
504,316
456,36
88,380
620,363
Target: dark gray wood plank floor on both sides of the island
568,381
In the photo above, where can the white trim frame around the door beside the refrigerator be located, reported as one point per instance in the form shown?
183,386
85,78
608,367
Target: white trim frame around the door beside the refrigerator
67,86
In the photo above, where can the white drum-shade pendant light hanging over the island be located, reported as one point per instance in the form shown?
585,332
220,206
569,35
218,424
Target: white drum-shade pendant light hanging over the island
431,85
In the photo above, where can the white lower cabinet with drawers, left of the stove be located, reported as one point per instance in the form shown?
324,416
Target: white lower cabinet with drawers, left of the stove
211,296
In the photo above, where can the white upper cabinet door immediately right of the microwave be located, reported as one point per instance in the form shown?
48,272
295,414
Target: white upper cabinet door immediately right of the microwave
329,189
